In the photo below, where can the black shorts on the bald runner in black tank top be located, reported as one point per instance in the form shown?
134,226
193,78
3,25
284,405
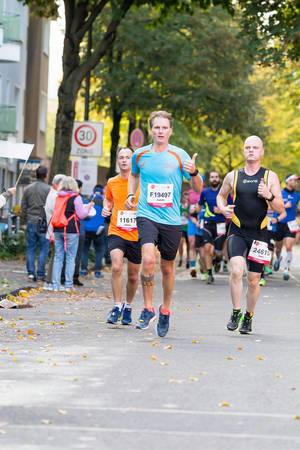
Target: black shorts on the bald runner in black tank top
239,243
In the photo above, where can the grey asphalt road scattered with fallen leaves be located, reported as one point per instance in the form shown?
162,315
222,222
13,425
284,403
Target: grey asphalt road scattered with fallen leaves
69,381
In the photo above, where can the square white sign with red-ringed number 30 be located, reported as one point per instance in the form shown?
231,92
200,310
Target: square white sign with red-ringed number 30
87,139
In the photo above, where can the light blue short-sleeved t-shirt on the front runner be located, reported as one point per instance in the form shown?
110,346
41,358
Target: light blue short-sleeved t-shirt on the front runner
160,168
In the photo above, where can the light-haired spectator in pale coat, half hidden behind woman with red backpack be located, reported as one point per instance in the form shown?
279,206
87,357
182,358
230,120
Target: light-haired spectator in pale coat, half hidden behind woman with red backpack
49,208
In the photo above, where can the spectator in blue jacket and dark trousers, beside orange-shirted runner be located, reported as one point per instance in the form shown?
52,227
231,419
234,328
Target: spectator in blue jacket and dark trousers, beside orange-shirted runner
94,234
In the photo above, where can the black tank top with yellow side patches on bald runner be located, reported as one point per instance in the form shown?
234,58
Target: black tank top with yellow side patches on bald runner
250,210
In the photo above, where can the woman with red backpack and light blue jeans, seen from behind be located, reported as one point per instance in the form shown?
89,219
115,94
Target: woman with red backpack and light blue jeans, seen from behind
68,211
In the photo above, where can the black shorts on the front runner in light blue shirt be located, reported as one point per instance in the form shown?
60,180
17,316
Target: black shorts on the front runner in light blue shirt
165,237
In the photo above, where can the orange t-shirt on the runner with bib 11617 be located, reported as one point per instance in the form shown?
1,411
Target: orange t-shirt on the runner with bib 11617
116,191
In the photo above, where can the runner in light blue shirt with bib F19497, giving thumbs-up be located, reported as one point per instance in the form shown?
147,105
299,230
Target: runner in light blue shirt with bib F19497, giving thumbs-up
159,169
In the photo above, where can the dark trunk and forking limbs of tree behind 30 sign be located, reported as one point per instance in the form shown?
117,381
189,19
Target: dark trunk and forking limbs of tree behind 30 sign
74,70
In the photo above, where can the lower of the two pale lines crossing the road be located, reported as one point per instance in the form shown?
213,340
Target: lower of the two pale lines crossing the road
159,432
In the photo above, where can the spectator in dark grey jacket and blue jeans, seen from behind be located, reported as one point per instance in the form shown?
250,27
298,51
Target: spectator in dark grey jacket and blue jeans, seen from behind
34,216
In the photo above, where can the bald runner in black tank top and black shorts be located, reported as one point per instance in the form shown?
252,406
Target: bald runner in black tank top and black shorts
254,189
